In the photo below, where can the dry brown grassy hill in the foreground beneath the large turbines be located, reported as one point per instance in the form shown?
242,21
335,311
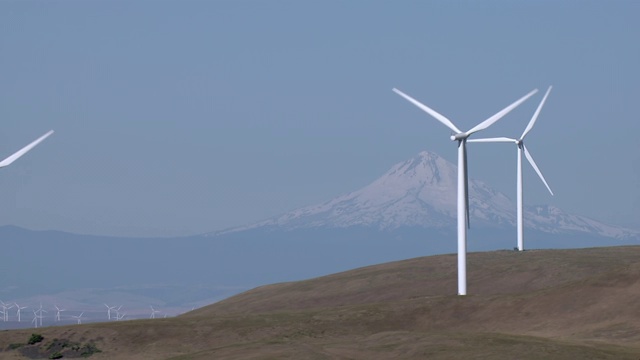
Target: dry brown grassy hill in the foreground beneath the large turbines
551,304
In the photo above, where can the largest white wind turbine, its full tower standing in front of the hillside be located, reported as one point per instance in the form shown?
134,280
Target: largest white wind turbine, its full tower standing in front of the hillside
463,184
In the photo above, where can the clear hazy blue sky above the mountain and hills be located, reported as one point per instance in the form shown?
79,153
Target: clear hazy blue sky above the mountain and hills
183,117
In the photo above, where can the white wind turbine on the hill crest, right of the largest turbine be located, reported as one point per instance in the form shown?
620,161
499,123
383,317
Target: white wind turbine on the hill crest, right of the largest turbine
521,148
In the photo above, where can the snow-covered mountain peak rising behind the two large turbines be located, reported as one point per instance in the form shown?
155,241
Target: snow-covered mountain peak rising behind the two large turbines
421,192
